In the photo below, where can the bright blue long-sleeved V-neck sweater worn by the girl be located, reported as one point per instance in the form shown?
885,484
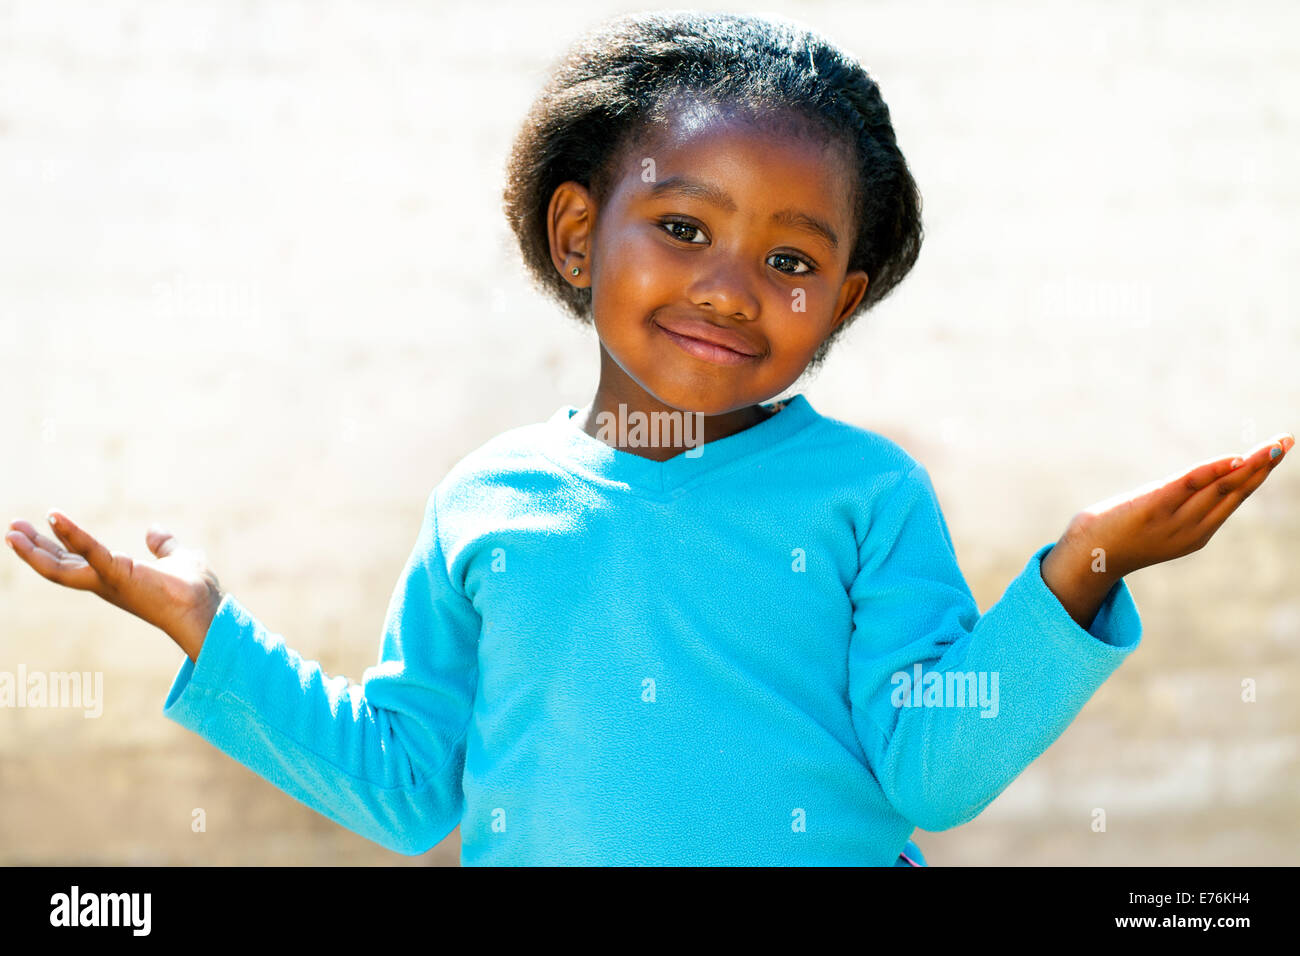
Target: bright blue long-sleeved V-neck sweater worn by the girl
765,654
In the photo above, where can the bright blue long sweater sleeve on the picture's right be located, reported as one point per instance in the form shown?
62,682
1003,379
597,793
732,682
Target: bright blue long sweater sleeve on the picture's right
1006,684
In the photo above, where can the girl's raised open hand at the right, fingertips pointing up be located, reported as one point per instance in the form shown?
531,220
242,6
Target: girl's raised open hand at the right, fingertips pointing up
1168,518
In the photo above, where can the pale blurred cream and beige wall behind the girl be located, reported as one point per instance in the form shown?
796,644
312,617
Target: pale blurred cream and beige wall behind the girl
255,284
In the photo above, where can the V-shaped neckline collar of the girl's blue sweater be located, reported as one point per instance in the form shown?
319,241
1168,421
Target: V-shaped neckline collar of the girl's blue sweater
569,445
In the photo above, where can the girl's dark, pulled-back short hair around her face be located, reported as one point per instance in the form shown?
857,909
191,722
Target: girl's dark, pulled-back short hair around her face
618,84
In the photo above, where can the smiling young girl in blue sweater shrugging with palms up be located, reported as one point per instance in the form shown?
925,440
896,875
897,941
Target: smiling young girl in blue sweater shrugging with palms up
749,644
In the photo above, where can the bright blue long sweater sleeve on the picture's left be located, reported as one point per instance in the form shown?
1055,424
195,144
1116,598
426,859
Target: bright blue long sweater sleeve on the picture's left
384,758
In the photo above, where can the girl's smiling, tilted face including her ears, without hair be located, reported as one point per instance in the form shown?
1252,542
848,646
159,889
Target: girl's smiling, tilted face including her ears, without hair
718,231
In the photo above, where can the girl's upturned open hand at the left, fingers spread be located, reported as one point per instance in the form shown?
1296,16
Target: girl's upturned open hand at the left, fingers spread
177,592
